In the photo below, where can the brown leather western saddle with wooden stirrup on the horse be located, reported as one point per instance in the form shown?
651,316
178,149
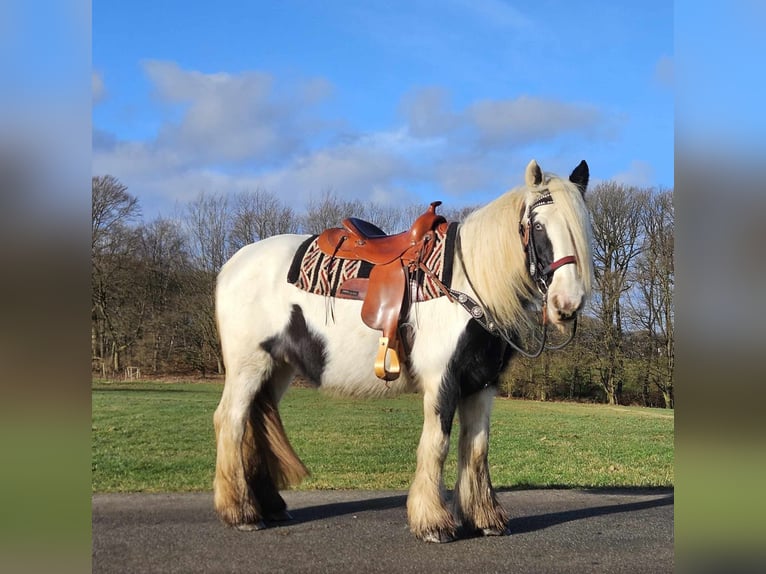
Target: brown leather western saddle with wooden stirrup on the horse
384,295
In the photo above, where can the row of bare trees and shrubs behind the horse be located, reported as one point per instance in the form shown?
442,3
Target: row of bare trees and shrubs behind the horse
153,284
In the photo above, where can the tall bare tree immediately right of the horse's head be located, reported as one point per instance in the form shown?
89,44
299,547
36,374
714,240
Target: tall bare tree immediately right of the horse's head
617,229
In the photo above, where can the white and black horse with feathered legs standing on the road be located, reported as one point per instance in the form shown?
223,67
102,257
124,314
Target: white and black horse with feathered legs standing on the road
528,248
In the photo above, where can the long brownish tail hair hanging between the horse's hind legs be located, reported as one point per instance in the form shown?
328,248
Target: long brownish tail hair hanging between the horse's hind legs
266,443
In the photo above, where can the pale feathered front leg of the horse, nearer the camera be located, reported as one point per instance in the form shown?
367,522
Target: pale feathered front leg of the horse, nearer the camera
428,516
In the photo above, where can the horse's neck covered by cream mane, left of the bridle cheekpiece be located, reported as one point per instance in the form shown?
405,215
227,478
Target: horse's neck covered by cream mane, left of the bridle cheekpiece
494,258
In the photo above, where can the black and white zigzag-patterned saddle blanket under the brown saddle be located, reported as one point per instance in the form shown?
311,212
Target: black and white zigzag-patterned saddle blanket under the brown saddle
321,274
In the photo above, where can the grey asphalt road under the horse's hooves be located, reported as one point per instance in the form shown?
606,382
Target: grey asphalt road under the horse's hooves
554,531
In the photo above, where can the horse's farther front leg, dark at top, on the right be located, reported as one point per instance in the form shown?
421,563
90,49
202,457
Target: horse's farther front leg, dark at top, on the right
476,504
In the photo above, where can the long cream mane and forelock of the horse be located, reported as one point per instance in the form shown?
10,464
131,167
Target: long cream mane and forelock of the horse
494,256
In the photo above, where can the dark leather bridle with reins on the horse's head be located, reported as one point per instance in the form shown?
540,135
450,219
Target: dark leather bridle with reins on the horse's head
541,276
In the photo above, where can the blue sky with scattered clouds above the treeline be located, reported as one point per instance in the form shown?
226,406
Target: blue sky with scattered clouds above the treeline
389,101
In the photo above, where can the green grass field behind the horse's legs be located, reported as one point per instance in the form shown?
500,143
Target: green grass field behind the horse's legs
158,437
